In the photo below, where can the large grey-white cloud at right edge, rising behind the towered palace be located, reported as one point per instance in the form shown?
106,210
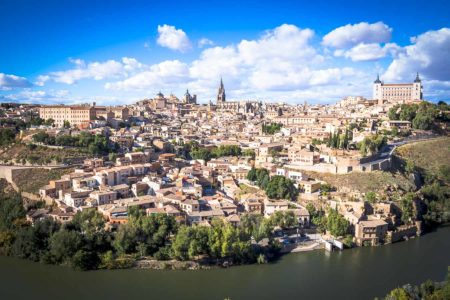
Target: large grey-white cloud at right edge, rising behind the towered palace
428,54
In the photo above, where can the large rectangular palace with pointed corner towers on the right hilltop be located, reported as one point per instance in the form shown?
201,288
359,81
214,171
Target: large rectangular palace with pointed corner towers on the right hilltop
397,92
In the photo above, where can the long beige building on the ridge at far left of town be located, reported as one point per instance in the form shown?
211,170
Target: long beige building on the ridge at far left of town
77,115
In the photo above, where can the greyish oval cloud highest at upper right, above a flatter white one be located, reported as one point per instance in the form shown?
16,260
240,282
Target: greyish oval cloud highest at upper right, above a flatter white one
352,35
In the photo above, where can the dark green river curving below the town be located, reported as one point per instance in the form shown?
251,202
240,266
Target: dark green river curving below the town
361,273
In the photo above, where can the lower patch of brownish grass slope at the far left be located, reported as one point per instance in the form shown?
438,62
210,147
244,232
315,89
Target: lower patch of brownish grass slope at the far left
31,180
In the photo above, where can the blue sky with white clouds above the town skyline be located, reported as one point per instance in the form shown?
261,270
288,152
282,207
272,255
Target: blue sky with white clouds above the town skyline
118,52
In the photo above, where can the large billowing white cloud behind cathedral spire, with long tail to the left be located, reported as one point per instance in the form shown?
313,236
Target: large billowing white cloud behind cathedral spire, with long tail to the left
282,59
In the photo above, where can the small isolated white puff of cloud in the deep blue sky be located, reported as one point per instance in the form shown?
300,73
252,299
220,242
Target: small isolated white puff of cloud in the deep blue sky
172,38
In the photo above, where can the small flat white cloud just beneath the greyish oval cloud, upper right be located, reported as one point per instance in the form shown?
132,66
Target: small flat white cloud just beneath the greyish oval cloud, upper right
368,52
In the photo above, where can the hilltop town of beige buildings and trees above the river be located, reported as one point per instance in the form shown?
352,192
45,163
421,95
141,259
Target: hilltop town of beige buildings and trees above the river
272,176
